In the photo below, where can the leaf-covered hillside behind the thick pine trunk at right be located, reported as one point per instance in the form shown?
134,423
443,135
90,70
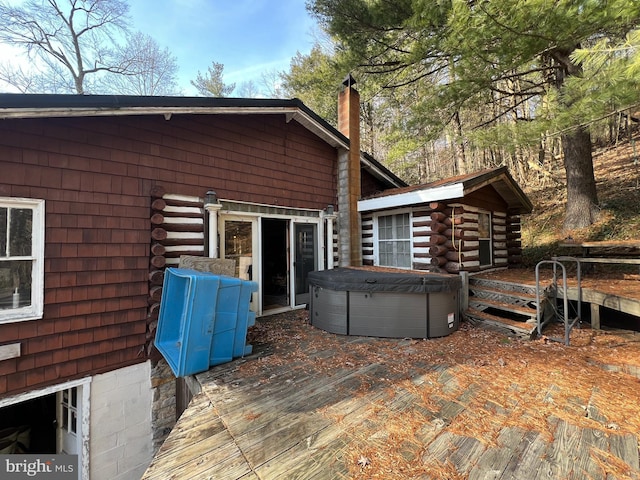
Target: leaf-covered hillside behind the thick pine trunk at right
617,173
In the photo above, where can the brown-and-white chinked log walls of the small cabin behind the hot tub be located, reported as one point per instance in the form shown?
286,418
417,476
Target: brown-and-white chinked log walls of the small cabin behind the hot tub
445,238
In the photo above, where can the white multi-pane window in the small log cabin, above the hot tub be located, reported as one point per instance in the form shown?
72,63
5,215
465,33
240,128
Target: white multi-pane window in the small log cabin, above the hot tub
394,240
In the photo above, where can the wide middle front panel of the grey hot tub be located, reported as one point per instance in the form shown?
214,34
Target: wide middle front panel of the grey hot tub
388,314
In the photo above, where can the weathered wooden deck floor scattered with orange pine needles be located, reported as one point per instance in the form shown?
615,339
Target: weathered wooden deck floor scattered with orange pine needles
474,405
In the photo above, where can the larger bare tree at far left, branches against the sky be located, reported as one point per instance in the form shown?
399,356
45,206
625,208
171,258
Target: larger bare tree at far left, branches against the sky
71,39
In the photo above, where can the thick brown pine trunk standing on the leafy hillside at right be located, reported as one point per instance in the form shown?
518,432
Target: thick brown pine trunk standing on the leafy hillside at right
582,199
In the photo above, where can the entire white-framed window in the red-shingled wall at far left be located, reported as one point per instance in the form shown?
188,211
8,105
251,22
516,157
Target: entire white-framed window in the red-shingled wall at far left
21,259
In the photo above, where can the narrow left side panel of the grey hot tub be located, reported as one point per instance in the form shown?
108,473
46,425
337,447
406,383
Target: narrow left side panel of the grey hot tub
328,310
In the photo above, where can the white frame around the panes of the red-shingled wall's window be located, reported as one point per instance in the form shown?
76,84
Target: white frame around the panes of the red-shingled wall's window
35,310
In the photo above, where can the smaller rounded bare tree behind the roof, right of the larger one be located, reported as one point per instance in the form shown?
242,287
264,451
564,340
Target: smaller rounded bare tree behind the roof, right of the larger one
153,70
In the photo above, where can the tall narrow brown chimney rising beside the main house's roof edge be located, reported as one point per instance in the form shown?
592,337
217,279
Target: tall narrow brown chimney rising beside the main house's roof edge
349,187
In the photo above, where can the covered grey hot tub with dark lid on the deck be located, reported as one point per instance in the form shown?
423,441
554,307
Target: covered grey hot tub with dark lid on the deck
380,302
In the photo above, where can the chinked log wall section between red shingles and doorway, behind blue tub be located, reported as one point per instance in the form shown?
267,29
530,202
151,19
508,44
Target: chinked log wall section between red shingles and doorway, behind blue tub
177,228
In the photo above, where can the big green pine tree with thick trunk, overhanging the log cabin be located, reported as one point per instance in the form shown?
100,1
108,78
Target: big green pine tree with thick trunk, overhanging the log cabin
516,63
